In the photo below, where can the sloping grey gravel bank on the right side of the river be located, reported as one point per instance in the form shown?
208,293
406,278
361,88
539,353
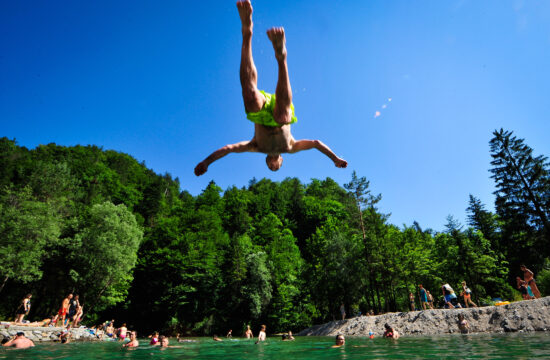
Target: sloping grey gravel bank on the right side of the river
521,316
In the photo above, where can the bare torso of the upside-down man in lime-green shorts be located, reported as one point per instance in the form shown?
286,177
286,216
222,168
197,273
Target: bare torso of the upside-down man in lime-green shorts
272,140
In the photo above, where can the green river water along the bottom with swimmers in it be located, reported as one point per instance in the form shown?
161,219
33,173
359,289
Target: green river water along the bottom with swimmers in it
477,346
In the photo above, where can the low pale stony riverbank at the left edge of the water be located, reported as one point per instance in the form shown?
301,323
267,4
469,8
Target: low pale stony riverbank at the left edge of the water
45,334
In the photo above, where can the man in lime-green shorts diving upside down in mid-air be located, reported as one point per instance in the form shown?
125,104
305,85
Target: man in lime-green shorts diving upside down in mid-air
271,113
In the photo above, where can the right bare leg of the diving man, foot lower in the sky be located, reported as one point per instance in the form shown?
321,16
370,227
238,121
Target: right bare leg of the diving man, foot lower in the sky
282,112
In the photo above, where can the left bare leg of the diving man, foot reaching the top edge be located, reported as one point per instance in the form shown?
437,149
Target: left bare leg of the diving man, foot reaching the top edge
253,99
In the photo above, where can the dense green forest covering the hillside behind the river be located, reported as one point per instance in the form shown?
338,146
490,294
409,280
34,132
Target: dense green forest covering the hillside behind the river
138,249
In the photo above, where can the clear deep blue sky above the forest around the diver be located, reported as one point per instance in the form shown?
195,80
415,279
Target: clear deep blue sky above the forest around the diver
159,80
